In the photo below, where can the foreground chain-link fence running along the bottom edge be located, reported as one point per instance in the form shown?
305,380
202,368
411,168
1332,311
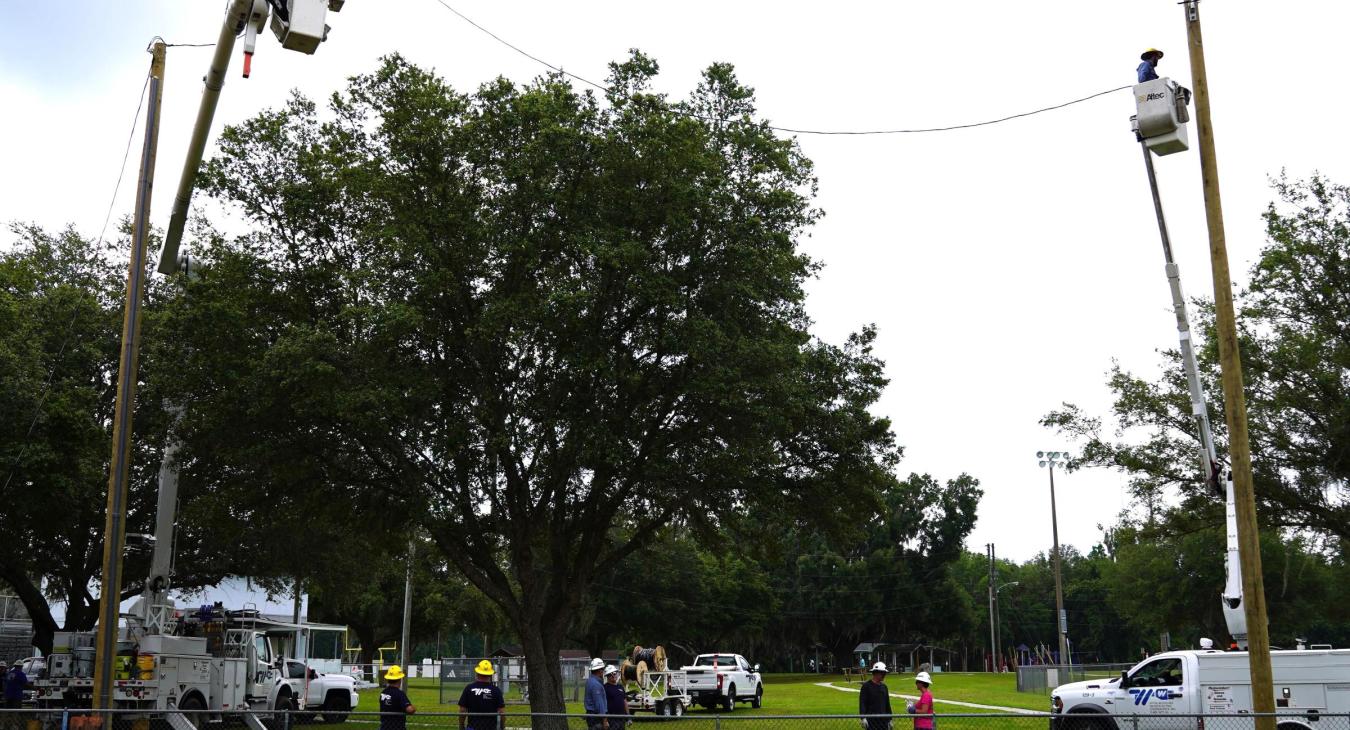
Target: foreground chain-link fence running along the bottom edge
207,720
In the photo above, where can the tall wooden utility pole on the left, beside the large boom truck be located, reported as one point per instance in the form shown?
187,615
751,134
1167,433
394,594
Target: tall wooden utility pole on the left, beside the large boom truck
115,527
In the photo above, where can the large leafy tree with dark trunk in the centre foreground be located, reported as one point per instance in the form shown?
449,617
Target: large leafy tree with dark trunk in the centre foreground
539,327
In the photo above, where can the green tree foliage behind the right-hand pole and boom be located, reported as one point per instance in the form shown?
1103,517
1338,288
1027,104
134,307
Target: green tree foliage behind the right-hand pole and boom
1295,346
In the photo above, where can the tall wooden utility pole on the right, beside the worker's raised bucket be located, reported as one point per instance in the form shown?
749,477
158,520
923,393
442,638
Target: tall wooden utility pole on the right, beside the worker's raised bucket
1236,408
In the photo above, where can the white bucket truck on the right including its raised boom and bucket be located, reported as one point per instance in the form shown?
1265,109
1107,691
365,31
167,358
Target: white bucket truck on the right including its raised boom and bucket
1171,690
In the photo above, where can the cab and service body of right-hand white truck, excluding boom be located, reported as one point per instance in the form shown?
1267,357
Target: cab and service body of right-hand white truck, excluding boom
1167,692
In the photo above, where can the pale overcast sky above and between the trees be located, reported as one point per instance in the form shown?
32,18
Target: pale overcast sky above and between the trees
1005,266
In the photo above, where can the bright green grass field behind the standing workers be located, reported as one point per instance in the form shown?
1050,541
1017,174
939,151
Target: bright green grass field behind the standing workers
801,696
